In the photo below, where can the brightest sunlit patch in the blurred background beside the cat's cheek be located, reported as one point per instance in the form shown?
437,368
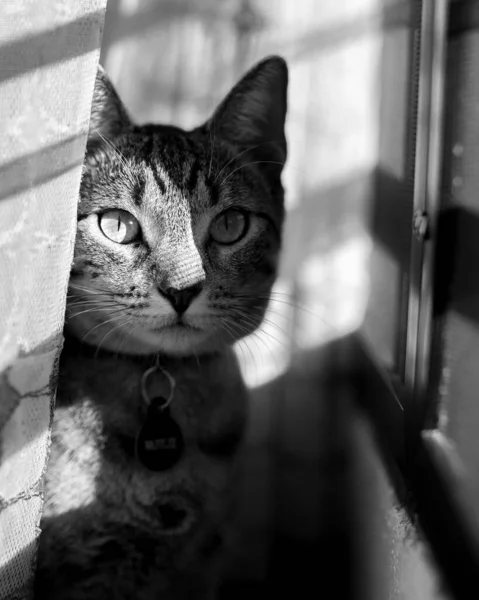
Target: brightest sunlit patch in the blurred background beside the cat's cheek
328,301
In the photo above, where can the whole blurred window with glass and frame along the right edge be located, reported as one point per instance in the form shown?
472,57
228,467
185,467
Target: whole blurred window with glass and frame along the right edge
420,375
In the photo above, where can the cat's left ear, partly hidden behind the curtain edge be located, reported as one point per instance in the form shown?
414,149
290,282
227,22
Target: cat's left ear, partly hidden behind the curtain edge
108,116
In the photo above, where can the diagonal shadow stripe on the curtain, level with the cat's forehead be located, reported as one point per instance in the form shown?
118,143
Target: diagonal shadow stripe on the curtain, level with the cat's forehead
41,166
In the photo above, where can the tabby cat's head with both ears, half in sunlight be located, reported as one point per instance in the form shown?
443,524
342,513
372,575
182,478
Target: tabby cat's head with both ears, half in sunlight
179,232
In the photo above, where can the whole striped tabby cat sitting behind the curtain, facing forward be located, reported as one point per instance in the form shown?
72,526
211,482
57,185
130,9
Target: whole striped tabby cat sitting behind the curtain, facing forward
177,247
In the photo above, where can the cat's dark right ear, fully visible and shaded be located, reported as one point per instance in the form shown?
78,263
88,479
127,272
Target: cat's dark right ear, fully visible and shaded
252,116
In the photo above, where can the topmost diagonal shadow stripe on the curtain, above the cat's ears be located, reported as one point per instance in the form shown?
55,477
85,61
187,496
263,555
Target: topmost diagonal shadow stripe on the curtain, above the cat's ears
51,46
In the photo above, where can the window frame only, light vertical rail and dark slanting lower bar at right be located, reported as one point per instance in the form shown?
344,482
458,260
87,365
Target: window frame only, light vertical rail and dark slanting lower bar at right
403,405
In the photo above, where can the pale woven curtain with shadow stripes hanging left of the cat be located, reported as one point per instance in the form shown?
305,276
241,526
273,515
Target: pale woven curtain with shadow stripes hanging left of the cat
48,59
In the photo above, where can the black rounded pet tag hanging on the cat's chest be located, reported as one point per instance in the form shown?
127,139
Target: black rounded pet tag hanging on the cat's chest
159,443
